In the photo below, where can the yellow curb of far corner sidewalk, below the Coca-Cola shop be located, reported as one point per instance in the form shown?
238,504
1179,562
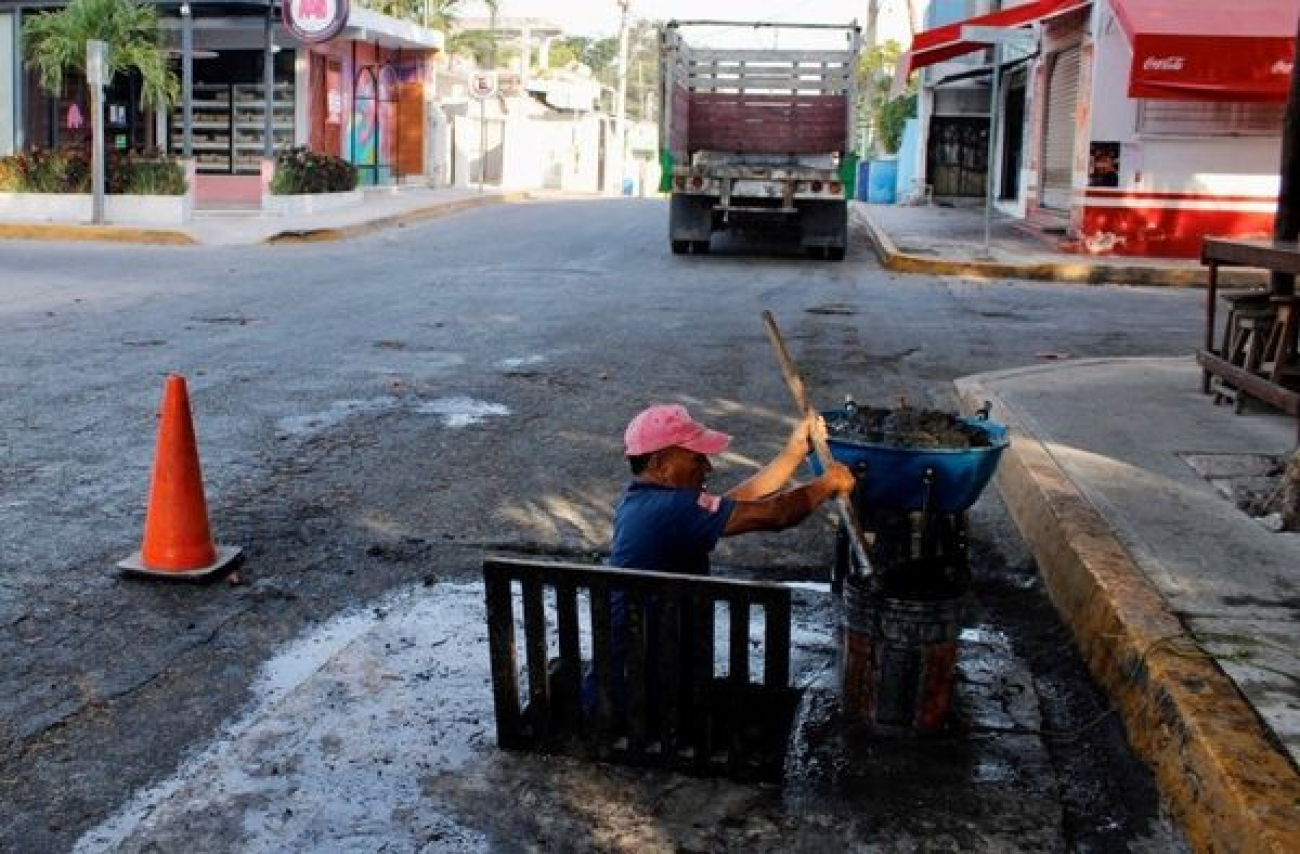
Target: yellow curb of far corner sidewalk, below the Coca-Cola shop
1074,272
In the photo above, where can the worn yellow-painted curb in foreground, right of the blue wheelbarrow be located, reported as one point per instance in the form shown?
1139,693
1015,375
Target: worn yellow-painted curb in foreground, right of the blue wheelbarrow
1221,774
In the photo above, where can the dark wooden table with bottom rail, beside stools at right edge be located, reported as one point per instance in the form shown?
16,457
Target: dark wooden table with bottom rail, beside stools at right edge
1279,257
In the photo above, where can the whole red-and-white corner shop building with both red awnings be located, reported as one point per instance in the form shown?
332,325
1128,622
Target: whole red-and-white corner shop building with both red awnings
1147,124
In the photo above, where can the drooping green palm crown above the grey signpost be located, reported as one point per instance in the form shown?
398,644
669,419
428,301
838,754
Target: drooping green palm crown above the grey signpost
57,44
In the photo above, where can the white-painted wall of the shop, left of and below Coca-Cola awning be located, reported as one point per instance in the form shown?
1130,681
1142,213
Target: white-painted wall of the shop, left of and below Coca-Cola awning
1191,164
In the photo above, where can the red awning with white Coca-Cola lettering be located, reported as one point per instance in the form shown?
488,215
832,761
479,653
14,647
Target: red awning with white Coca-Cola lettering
1211,51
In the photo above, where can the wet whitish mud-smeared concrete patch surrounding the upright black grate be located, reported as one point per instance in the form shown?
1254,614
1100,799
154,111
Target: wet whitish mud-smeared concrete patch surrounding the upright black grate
375,734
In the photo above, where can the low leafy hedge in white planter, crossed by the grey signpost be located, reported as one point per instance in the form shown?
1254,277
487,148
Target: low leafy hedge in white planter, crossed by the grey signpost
68,170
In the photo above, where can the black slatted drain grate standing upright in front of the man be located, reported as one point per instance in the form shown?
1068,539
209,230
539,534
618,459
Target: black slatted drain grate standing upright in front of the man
671,709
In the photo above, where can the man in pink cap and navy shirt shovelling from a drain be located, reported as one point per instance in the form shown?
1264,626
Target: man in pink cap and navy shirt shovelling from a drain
669,522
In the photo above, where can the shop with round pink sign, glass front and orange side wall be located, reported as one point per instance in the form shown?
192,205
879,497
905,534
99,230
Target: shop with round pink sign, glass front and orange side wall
253,84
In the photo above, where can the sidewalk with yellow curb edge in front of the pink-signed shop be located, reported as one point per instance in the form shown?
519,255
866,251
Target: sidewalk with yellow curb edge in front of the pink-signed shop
382,209
